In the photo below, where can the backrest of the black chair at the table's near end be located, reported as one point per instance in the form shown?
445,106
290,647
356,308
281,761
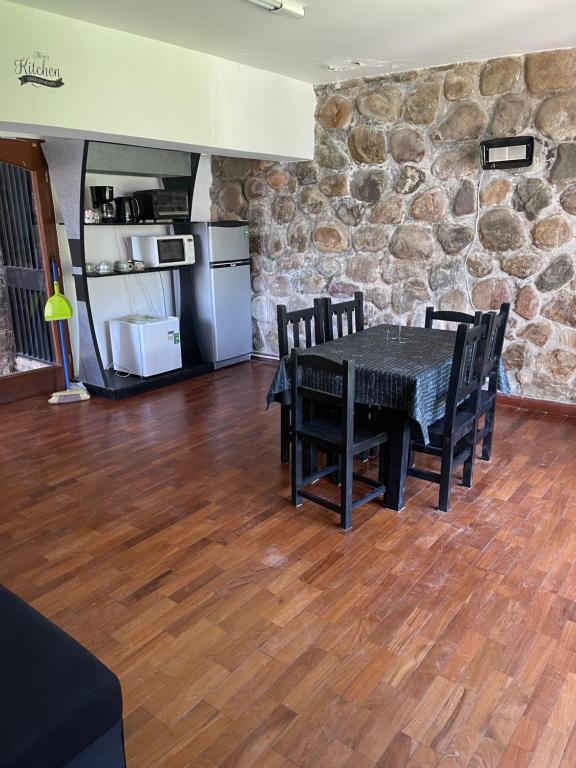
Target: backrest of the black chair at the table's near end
313,377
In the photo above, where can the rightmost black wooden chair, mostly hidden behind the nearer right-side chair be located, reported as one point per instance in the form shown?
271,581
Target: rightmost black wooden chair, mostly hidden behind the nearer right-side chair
487,404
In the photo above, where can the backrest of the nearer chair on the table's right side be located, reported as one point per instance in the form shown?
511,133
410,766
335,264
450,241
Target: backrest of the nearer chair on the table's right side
466,375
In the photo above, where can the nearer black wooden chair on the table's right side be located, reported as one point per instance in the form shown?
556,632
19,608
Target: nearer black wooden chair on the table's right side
453,437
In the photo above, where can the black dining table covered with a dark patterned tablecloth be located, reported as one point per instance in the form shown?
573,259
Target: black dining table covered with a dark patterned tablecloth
403,371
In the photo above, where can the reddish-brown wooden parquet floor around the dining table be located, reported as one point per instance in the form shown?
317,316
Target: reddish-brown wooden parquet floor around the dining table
158,531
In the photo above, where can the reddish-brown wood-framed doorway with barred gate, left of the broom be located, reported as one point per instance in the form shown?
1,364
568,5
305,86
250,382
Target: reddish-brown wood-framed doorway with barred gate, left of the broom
30,355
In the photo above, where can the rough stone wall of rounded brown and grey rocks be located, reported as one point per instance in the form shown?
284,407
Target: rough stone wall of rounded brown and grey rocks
389,206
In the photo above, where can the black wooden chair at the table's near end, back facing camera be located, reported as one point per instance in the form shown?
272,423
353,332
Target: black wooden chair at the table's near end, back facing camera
328,422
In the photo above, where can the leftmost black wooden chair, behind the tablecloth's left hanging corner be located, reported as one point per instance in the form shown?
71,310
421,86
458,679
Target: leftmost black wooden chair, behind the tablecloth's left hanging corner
313,320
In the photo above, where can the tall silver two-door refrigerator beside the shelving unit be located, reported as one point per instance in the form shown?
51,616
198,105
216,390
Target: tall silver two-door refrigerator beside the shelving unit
223,291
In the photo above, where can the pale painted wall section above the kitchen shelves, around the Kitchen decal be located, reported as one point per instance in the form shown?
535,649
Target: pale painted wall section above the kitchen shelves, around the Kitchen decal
122,87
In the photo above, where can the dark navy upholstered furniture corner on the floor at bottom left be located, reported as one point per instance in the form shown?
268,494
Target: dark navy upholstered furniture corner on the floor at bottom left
59,706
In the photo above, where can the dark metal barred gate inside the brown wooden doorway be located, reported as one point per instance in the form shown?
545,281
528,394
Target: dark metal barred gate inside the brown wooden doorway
20,251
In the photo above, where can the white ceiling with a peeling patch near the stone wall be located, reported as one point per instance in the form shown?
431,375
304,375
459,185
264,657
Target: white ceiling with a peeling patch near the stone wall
382,35
